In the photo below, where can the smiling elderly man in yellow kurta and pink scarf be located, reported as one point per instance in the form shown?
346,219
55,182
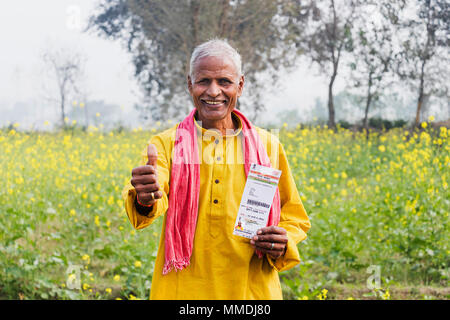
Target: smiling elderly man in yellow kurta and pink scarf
194,175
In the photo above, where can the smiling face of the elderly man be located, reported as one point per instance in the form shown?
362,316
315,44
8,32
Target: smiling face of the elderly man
215,88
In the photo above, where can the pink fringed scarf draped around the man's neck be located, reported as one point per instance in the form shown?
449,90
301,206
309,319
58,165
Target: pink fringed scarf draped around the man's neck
181,217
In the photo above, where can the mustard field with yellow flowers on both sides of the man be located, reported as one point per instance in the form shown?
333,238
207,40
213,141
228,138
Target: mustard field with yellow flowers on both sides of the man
378,208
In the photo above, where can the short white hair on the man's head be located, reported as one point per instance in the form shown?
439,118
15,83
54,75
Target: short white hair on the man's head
215,48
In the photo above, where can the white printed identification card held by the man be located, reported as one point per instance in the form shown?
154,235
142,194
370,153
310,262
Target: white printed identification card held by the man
256,200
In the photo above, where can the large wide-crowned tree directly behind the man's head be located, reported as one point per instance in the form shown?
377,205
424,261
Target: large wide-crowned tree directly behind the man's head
161,34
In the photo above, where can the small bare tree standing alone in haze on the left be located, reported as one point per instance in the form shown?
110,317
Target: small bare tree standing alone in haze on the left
65,68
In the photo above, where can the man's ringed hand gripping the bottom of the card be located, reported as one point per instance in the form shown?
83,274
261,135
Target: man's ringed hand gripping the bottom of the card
268,235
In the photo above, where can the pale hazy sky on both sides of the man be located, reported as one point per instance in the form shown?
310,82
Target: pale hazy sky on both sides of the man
28,27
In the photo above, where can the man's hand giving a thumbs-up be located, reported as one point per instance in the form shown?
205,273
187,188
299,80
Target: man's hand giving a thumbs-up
145,179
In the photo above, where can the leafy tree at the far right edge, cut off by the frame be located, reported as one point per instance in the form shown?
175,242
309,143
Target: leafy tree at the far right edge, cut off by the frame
424,38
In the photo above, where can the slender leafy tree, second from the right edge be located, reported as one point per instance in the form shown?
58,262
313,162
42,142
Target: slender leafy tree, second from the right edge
372,55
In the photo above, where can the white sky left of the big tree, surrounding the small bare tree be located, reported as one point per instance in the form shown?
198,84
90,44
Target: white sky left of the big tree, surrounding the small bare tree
28,27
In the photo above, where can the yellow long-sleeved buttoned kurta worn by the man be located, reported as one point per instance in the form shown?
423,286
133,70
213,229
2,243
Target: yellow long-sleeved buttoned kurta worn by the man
223,265
